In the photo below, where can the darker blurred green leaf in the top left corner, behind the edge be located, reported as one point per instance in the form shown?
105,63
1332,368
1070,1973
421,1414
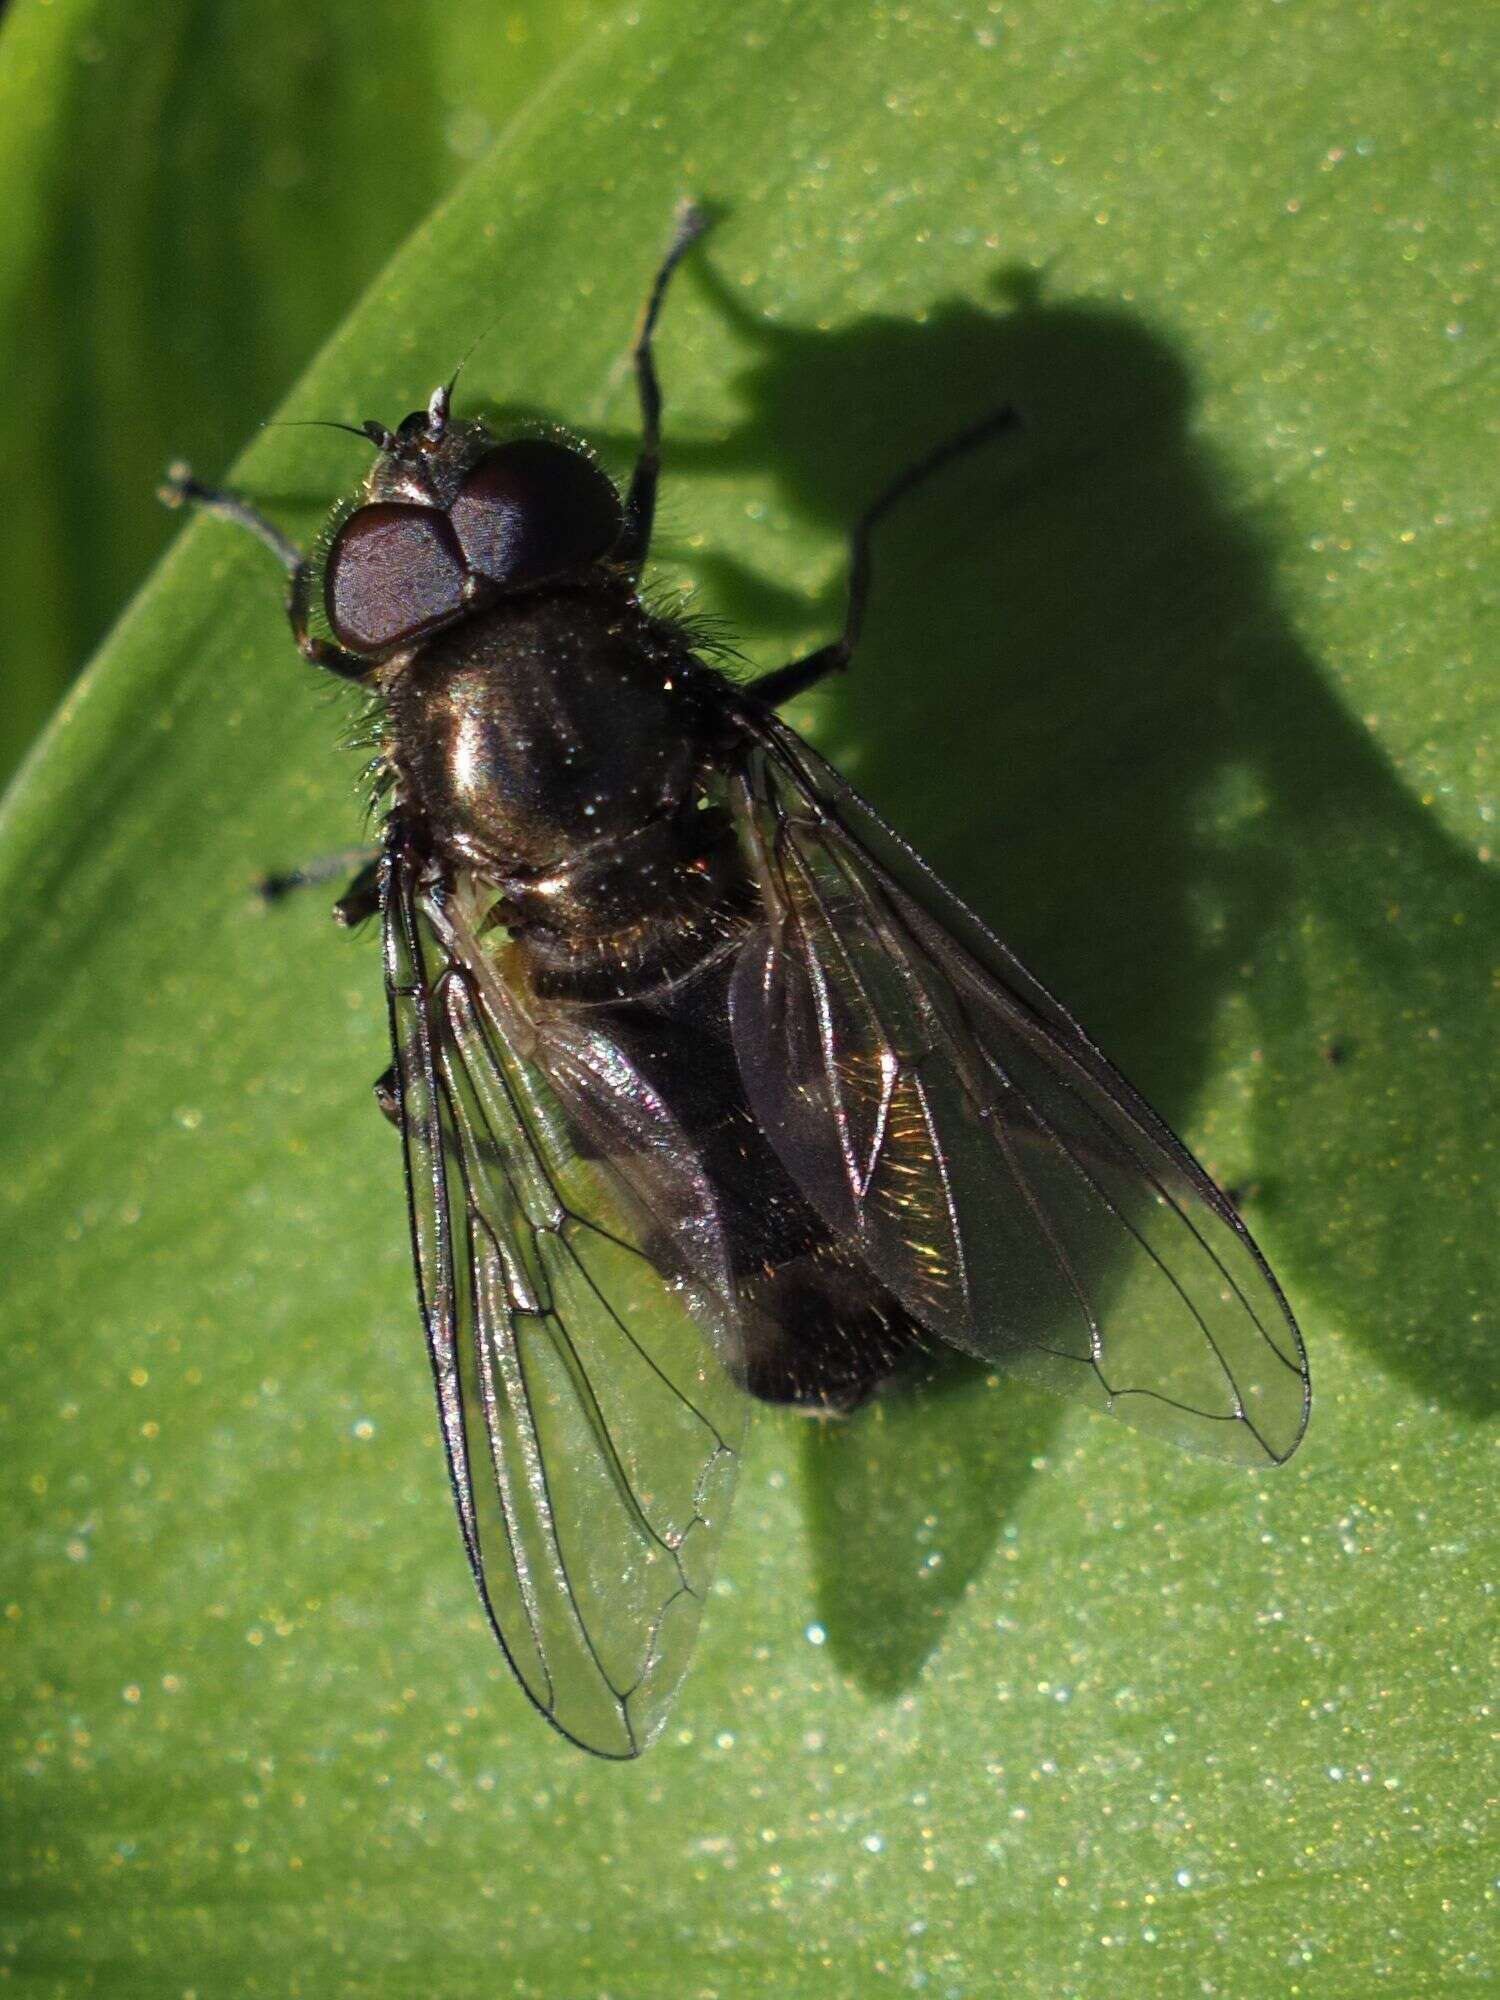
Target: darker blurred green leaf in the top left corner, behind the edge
195,195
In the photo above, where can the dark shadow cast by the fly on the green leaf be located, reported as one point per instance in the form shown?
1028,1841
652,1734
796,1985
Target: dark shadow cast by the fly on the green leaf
1081,699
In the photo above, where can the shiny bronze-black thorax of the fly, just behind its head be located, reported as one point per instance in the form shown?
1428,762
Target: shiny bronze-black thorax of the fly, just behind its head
545,731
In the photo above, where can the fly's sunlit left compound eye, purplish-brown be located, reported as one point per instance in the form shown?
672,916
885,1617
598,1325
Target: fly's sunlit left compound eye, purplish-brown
393,575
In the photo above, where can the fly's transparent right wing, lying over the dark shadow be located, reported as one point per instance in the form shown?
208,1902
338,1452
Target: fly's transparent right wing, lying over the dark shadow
1001,1177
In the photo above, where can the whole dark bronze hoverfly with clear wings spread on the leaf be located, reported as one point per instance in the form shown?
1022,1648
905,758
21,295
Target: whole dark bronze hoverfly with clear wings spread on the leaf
705,1083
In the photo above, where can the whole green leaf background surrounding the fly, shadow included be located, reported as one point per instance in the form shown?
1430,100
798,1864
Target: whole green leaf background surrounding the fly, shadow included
1191,693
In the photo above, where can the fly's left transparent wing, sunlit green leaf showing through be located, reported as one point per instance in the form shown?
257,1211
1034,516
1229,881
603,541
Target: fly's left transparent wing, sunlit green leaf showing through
575,1299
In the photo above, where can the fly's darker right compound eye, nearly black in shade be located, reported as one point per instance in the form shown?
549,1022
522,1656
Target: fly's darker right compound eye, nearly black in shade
533,509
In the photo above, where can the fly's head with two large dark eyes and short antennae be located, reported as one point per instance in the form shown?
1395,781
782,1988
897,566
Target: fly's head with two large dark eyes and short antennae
453,519
